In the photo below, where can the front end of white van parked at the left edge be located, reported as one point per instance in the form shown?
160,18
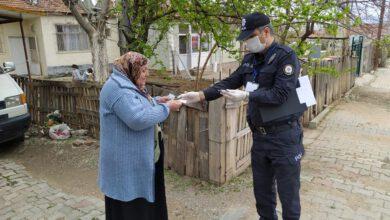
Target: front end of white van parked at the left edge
14,116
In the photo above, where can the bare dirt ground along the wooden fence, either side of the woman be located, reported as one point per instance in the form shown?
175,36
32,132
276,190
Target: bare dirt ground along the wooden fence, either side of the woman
73,169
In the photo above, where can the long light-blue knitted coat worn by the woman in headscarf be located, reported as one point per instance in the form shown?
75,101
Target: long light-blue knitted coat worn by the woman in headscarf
127,123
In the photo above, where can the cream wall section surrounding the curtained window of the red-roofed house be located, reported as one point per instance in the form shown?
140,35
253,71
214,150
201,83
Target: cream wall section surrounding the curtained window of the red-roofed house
58,62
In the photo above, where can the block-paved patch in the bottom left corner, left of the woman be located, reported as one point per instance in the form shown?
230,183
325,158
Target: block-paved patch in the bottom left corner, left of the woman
22,197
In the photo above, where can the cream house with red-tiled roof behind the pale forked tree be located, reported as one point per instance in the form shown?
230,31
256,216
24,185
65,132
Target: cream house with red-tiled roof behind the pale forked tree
54,40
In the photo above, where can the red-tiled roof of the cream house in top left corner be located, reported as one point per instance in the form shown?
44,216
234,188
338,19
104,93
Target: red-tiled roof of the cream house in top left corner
43,6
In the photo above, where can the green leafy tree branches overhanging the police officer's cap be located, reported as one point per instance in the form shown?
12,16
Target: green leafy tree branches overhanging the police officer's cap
293,20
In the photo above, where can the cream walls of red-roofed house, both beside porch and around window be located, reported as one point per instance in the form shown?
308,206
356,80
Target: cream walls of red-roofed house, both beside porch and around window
52,61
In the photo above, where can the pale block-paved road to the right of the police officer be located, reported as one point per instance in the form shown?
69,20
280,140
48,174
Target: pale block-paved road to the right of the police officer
346,172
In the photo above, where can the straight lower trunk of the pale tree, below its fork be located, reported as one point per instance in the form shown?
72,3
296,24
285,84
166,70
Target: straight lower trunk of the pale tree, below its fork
99,57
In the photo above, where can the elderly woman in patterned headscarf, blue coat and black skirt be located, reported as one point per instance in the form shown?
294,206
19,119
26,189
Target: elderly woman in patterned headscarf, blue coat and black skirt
131,152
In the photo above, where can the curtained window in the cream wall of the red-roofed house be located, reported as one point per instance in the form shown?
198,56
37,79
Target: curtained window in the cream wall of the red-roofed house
71,38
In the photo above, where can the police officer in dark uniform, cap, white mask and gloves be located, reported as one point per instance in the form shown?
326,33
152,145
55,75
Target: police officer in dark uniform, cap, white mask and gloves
269,73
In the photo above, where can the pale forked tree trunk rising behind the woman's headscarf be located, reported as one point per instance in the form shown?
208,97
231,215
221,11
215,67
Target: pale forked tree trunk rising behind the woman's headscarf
93,19
